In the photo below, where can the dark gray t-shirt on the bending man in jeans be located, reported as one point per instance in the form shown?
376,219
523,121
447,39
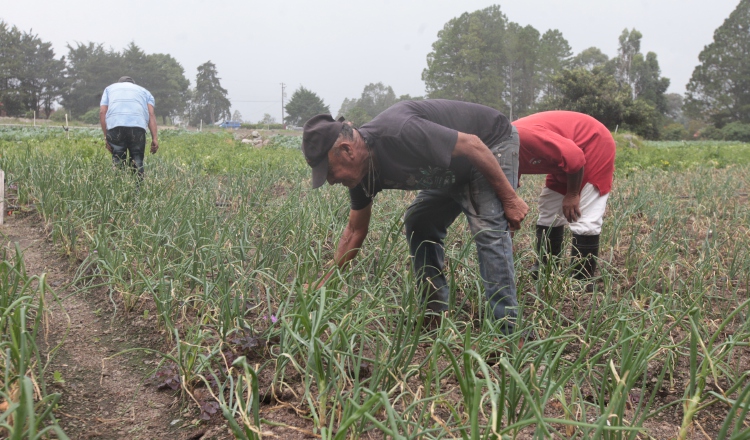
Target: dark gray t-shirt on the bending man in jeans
412,143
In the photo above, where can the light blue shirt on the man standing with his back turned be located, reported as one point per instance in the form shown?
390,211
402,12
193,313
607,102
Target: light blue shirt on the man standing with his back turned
128,105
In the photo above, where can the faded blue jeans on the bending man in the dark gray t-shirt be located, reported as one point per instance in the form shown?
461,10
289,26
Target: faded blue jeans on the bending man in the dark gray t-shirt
427,220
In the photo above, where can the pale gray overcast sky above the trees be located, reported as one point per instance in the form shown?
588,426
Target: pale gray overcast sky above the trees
335,48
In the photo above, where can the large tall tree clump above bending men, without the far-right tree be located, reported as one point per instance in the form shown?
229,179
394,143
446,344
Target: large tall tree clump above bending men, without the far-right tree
483,57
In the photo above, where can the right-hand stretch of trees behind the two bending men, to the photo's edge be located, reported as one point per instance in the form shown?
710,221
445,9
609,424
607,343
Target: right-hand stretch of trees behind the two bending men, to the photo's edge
483,57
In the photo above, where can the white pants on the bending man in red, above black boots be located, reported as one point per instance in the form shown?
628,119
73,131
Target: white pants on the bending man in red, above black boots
592,210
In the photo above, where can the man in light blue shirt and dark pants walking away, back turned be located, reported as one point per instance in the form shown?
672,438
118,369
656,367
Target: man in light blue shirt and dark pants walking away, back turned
125,111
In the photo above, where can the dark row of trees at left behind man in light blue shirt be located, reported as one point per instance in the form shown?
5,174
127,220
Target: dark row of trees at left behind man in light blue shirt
32,79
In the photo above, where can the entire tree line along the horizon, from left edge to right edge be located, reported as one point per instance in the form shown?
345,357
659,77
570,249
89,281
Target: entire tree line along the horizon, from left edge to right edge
478,57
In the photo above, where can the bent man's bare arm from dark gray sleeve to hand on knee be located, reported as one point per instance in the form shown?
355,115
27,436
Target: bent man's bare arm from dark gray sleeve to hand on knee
482,158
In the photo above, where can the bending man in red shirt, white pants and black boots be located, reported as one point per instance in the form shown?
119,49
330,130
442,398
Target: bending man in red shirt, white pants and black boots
577,153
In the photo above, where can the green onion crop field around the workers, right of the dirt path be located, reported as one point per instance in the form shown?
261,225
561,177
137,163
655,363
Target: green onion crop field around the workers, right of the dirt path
222,242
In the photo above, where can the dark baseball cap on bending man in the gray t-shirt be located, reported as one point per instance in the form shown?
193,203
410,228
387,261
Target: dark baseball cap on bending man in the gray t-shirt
318,136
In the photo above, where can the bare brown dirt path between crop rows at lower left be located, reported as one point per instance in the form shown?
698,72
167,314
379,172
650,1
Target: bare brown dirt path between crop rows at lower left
103,397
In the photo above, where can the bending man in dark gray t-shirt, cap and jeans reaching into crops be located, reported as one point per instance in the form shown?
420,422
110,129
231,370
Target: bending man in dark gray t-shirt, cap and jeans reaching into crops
462,157
